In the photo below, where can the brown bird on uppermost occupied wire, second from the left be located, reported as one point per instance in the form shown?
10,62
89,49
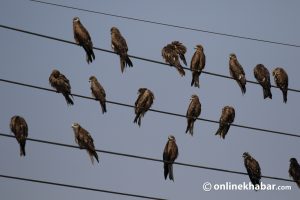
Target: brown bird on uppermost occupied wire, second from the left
119,45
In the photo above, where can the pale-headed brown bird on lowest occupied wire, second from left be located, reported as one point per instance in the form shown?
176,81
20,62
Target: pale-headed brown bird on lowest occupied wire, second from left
85,141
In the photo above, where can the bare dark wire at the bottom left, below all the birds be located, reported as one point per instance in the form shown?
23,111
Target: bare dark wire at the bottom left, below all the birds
77,187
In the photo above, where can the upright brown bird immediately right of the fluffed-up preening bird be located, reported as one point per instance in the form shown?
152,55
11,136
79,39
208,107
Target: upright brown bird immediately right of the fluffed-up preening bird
197,65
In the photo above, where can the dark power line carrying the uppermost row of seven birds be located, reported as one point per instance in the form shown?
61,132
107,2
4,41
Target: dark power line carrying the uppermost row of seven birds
136,57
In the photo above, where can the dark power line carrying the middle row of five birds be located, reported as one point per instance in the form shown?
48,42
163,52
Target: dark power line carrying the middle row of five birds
154,110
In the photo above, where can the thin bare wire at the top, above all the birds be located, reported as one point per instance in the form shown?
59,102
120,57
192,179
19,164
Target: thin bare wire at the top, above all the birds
166,24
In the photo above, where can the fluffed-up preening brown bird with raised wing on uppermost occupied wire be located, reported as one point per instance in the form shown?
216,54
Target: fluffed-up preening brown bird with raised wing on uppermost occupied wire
170,56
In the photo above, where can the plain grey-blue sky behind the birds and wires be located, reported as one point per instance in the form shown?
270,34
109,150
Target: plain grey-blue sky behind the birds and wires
30,59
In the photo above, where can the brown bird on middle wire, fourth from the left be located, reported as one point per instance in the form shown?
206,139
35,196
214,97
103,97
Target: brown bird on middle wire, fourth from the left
192,113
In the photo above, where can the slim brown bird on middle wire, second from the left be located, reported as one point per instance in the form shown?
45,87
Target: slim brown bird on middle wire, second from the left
98,92
